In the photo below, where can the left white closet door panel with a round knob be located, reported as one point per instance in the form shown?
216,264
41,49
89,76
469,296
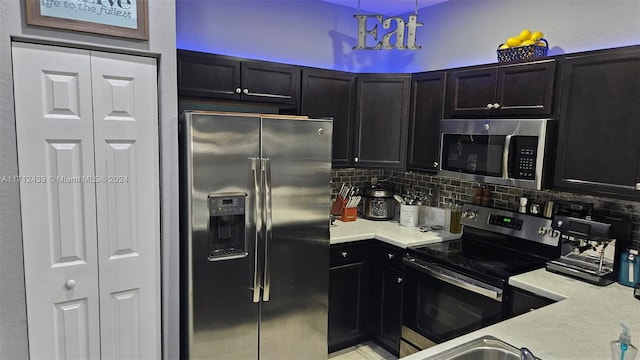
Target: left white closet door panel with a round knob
54,129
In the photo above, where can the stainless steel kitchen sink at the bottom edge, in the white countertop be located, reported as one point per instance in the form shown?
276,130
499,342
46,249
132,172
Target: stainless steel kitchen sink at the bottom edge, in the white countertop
484,348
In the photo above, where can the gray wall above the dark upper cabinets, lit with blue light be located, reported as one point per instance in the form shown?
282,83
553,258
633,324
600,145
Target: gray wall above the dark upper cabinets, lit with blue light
455,33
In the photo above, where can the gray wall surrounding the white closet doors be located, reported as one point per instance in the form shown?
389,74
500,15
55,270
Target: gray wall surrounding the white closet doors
13,326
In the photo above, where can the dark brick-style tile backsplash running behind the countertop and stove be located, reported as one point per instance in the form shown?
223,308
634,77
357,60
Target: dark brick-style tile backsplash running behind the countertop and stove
443,189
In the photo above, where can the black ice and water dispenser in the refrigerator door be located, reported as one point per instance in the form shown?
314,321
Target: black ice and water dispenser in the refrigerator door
226,228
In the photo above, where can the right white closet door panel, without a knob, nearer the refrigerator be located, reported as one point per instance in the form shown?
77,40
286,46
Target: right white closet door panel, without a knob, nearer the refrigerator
127,165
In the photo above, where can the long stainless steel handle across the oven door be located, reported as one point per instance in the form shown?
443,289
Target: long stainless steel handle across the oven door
454,279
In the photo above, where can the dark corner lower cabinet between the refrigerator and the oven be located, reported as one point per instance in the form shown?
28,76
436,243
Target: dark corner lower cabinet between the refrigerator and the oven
365,295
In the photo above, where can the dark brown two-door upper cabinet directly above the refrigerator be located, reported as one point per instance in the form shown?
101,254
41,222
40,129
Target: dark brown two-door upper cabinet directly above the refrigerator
208,76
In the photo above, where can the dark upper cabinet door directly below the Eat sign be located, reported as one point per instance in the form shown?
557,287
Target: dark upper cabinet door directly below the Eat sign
382,120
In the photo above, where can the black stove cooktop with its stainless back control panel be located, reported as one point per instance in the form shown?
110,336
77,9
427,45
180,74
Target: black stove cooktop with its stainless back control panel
495,244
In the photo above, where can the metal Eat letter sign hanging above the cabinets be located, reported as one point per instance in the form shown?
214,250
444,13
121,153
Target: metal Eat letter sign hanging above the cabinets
401,27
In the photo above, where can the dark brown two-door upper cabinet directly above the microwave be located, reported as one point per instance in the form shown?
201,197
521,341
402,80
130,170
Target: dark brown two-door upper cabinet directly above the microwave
522,89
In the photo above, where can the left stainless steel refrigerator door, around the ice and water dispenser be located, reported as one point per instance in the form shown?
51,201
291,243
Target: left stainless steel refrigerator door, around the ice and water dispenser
219,152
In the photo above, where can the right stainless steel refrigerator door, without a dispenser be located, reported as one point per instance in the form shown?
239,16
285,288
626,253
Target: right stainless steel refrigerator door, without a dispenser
294,307
